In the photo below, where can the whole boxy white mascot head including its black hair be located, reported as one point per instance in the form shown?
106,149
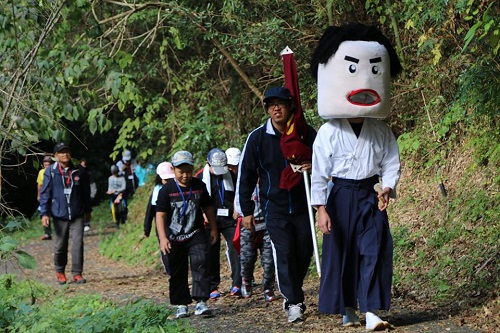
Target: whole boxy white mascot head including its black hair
353,65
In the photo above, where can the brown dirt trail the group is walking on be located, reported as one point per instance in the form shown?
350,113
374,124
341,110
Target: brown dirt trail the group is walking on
123,283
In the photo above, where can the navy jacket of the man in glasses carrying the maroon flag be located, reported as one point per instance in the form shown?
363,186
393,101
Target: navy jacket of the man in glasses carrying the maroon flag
263,161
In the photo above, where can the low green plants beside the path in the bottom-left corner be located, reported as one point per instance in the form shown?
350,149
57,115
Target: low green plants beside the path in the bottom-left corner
85,313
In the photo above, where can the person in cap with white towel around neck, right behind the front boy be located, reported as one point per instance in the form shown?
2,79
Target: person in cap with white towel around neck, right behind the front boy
220,184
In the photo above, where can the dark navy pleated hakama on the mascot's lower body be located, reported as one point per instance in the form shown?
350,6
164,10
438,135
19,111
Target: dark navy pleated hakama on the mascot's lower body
357,255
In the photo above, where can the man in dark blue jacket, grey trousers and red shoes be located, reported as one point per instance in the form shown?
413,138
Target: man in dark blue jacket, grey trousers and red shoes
65,197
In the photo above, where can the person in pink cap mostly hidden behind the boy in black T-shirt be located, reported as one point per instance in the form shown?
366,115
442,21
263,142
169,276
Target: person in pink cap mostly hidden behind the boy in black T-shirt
164,173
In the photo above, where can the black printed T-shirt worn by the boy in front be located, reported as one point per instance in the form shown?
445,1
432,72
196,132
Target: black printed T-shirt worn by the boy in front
183,206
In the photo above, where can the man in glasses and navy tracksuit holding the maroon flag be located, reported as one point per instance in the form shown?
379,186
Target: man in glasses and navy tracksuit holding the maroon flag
285,211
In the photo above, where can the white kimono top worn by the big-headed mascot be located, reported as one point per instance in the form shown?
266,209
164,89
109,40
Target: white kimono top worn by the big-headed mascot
337,152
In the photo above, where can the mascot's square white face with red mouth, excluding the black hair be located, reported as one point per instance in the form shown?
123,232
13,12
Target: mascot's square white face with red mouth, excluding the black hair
355,82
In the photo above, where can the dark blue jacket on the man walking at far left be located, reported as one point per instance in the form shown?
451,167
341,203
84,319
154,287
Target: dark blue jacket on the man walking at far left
53,200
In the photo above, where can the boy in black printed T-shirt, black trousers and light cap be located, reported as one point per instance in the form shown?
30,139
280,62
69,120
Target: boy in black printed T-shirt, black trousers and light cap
179,216
